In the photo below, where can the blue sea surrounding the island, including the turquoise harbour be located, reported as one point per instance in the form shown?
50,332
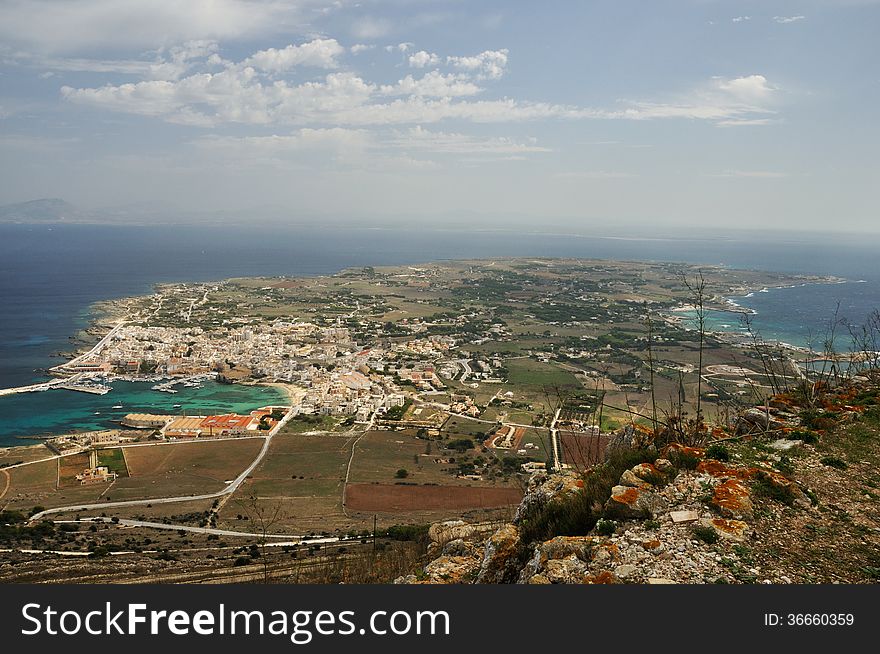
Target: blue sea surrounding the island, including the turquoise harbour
50,275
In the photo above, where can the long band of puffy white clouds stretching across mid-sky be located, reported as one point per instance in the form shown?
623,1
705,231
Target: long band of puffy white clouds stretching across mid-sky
252,92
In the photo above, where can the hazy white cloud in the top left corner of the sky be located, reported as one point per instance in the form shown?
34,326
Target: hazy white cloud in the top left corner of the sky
73,26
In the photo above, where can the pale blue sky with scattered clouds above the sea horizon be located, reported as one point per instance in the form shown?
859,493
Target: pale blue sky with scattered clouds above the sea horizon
582,114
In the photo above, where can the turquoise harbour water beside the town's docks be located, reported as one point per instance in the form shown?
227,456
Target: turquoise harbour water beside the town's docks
62,411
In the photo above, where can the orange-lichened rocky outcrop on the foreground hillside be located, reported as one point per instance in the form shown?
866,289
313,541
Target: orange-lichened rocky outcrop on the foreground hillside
664,522
